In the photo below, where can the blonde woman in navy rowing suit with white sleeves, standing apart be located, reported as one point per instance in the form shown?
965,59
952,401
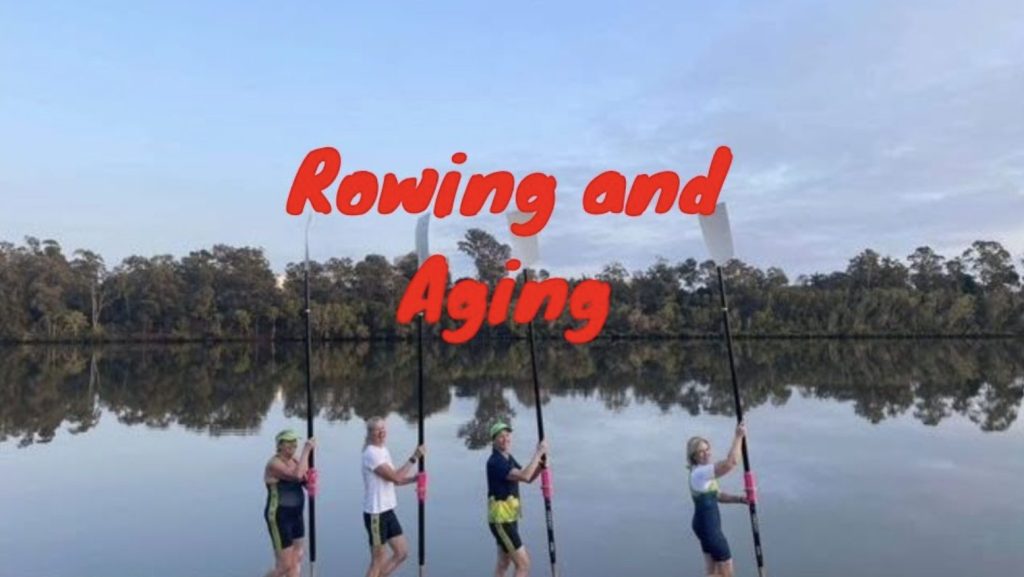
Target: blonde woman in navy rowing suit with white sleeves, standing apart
704,488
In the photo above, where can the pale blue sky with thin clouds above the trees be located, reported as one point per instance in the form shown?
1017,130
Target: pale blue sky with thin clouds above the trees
136,130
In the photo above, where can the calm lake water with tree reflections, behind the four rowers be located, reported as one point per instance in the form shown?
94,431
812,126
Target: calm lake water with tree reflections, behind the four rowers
873,458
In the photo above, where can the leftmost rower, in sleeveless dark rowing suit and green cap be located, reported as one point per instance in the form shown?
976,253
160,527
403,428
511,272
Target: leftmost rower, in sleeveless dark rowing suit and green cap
285,477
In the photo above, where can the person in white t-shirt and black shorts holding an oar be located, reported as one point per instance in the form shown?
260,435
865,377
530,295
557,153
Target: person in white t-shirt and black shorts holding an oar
379,502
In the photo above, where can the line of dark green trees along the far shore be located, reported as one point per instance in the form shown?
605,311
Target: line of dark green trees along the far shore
226,294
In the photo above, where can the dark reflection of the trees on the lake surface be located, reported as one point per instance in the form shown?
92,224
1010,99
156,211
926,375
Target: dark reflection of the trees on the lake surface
231,389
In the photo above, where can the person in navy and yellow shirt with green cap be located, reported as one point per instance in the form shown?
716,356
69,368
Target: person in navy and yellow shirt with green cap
504,477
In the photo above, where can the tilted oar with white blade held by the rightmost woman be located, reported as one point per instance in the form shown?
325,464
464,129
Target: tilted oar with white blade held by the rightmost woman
719,241
